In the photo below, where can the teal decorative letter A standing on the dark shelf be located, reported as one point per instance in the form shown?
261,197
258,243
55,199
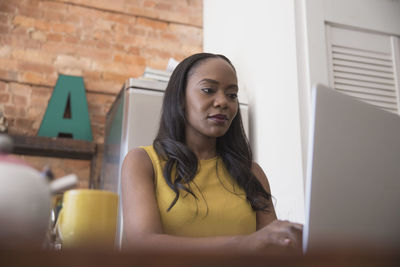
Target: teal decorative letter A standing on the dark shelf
67,113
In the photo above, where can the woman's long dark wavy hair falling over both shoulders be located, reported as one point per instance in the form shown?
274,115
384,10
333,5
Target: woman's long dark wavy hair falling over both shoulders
233,147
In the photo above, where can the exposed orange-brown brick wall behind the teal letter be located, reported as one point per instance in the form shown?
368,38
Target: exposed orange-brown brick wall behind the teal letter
104,41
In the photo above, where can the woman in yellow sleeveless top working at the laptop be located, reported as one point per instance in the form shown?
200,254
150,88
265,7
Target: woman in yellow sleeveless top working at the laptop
197,187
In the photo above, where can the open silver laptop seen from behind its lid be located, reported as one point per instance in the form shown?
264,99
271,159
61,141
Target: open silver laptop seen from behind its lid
352,195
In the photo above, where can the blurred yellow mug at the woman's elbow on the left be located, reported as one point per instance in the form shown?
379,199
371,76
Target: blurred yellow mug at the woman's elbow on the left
88,219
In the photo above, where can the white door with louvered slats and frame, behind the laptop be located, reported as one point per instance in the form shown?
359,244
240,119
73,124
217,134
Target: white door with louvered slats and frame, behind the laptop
351,45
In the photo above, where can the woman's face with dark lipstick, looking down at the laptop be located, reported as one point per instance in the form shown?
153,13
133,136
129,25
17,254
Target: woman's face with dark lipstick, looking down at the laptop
211,98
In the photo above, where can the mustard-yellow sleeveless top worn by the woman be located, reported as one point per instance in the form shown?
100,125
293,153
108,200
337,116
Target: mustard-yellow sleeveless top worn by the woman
221,207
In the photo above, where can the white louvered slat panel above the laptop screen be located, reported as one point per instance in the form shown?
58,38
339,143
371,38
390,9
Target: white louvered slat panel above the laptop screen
362,67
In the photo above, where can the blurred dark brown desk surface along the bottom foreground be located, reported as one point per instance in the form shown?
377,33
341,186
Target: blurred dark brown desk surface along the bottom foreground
30,258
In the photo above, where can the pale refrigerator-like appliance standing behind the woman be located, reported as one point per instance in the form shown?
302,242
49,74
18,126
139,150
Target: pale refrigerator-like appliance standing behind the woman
133,121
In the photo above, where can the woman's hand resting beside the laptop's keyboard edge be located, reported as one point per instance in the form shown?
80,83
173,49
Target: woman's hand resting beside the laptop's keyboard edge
276,236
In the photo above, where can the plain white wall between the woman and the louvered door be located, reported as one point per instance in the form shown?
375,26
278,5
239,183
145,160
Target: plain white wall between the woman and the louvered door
259,37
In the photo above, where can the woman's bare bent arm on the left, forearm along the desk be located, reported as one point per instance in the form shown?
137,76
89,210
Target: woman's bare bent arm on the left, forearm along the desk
142,223
